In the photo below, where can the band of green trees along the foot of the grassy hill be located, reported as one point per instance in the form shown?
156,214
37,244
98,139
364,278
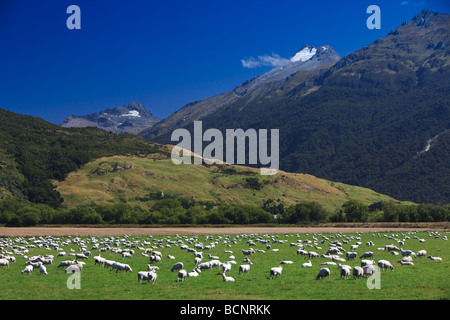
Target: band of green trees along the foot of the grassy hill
180,211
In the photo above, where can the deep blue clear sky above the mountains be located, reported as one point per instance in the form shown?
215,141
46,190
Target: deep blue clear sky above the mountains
165,53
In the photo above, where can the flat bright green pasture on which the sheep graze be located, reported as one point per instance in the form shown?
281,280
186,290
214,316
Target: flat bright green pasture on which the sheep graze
425,280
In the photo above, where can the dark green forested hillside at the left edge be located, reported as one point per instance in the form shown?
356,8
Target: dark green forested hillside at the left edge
34,152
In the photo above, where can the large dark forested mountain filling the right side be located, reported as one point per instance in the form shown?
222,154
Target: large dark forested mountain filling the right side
366,120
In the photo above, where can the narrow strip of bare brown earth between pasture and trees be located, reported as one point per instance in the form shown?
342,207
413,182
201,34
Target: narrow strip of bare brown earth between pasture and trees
103,231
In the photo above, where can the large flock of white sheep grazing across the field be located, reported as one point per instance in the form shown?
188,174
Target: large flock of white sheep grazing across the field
73,250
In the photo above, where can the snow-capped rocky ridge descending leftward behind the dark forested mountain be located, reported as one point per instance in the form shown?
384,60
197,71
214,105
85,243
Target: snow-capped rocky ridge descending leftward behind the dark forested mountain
307,60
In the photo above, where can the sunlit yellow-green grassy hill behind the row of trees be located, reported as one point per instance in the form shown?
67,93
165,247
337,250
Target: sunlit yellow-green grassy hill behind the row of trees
142,180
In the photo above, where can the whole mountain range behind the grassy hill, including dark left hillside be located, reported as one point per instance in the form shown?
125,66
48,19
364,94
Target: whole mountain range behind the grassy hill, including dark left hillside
378,118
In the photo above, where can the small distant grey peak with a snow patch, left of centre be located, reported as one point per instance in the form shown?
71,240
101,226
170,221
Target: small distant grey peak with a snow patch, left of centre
131,118
